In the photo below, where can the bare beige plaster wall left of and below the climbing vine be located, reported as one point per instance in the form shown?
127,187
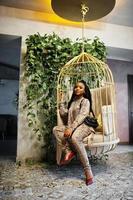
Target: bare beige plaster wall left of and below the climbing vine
28,146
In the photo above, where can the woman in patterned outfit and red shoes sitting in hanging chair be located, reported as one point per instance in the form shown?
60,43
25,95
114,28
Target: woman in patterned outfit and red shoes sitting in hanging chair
73,134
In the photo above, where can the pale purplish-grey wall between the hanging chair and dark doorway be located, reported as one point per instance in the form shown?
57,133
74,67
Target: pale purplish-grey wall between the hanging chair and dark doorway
120,70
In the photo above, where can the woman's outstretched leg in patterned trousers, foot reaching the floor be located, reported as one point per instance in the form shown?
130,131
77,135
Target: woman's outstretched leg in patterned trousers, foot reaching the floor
77,141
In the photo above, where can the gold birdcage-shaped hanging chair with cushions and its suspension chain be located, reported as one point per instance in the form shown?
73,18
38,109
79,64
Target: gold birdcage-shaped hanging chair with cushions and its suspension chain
99,78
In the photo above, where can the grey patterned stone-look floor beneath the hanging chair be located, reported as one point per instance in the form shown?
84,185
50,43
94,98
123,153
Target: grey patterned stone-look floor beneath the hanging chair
113,180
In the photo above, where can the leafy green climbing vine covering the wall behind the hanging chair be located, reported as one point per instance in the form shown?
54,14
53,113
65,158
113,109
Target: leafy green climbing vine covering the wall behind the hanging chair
43,60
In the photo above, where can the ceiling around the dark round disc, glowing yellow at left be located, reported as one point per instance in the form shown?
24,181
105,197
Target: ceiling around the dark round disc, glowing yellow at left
122,14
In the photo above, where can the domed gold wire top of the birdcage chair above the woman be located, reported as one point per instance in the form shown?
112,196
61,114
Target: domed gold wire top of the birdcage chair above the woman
85,66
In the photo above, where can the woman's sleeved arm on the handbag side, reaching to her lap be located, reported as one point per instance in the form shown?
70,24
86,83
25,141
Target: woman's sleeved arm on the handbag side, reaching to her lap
83,113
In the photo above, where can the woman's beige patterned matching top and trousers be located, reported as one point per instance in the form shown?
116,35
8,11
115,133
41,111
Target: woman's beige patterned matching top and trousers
77,112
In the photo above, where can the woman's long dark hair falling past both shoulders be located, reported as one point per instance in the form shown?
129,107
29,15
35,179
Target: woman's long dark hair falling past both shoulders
86,95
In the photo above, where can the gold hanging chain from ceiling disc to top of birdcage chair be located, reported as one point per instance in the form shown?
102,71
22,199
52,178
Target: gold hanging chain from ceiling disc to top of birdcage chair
84,10
